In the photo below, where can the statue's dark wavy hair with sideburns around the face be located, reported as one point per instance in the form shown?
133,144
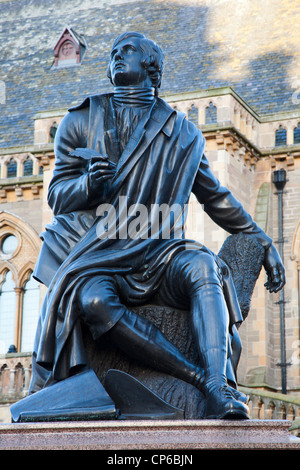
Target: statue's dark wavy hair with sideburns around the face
153,57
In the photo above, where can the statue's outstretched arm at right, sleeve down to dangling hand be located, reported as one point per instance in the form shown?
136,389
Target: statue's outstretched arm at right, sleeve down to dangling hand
224,209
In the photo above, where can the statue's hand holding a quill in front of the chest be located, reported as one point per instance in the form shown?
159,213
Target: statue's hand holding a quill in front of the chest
100,169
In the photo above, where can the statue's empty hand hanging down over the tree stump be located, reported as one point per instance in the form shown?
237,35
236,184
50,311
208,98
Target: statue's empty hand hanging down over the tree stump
274,269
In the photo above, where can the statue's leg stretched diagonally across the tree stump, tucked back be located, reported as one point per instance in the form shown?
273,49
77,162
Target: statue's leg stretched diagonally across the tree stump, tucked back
136,336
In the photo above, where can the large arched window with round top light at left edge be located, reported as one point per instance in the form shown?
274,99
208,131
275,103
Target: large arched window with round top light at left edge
20,295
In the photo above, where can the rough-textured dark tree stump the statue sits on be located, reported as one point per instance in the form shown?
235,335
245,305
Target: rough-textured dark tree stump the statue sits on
244,256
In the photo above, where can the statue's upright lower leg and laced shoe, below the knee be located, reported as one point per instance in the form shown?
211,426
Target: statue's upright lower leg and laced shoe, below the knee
210,329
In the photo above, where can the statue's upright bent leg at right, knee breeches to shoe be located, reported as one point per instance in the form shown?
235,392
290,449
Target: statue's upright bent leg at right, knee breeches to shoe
196,276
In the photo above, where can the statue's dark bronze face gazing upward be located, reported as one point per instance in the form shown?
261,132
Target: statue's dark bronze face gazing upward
126,65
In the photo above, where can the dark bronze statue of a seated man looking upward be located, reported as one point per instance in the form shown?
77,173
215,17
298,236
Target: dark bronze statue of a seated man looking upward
119,159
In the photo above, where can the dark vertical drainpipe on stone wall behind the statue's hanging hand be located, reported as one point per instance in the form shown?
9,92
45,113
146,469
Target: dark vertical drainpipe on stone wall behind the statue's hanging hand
279,180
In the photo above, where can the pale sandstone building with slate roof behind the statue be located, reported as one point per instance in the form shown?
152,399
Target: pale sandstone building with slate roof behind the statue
232,67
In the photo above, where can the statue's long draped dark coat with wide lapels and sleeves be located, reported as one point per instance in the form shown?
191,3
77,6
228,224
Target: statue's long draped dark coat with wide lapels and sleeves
162,163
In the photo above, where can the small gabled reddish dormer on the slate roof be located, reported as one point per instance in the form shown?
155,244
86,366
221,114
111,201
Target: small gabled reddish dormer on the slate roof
69,49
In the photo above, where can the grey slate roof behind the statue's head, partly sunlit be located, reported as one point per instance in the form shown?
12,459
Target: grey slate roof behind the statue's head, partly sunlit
186,30
